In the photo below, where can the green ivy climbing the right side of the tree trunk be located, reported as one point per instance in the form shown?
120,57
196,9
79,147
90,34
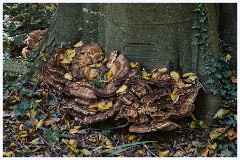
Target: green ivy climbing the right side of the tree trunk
221,77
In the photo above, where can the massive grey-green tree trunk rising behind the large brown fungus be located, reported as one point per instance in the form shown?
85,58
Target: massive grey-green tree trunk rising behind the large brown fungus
152,34
